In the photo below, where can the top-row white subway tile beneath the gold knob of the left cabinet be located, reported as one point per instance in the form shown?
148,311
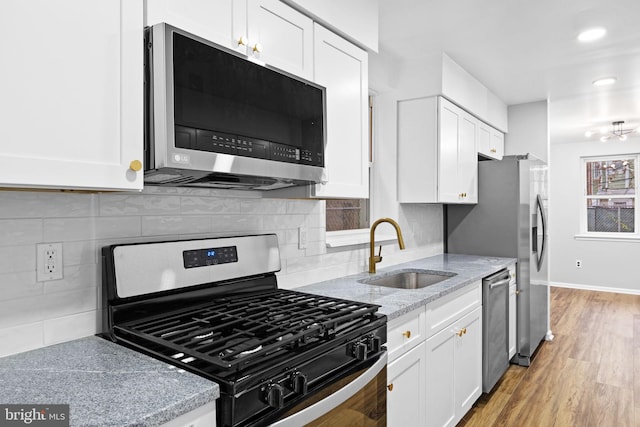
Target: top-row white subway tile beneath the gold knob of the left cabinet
138,204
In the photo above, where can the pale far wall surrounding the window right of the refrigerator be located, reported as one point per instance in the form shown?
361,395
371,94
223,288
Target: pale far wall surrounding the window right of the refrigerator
607,265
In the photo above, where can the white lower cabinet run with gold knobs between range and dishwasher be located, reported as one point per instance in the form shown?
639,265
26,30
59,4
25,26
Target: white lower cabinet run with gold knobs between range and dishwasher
434,373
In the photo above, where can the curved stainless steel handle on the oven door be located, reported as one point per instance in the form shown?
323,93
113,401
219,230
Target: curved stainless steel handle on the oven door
327,404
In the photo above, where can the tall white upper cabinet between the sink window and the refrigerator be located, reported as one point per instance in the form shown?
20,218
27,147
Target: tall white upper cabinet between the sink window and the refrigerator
437,157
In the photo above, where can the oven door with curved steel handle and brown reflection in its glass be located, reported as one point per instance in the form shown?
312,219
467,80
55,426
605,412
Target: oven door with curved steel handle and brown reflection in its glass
359,399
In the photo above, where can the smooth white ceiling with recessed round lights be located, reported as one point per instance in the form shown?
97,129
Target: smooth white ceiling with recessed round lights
526,50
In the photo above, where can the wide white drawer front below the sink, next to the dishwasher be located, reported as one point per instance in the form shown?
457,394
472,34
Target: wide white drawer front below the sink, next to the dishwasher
445,310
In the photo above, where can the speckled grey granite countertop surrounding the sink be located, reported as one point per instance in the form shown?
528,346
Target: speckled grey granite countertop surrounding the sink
396,302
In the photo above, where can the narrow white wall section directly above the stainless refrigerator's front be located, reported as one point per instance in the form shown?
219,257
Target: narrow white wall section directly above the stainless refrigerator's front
528,130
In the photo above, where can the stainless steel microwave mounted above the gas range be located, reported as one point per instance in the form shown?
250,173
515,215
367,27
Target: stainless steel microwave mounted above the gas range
214,118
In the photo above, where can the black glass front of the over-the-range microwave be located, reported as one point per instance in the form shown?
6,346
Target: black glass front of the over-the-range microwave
221,96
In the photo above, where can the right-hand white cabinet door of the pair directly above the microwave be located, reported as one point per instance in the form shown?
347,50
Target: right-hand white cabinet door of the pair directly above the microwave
280,36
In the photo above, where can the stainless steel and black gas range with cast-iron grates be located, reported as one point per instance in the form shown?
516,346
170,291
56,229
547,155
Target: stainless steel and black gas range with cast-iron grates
213,307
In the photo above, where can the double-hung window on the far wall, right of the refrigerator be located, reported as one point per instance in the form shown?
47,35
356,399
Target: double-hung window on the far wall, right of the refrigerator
610,194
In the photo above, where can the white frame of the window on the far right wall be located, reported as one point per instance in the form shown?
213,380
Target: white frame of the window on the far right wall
585,234
